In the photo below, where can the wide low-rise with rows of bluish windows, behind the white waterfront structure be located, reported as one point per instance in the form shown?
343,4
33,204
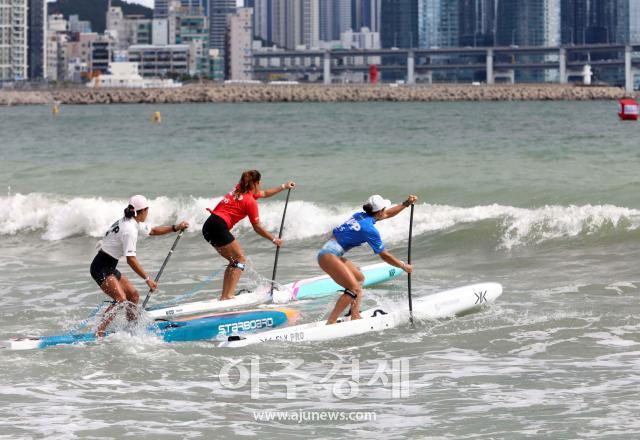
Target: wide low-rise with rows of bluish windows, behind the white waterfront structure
172,60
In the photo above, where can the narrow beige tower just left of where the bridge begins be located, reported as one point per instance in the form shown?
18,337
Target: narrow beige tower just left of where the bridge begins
239,44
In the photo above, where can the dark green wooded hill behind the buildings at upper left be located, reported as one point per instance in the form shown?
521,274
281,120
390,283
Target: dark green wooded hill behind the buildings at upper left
95,10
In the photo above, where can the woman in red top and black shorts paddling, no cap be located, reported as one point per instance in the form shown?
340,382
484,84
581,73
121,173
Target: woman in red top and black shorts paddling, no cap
236,205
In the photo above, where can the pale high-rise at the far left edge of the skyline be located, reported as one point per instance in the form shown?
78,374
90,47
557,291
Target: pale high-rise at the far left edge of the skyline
13,40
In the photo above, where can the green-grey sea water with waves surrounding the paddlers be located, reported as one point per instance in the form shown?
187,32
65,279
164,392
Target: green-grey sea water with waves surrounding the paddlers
541,197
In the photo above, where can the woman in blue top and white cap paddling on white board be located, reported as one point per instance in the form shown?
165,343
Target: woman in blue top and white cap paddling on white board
359,229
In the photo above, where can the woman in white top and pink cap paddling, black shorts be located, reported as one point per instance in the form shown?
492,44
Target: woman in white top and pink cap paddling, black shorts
120,241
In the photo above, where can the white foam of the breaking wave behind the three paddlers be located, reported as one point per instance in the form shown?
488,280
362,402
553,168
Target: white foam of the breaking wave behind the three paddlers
58,218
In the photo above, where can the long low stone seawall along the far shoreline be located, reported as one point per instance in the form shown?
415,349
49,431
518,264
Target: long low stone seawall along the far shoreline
311,93
